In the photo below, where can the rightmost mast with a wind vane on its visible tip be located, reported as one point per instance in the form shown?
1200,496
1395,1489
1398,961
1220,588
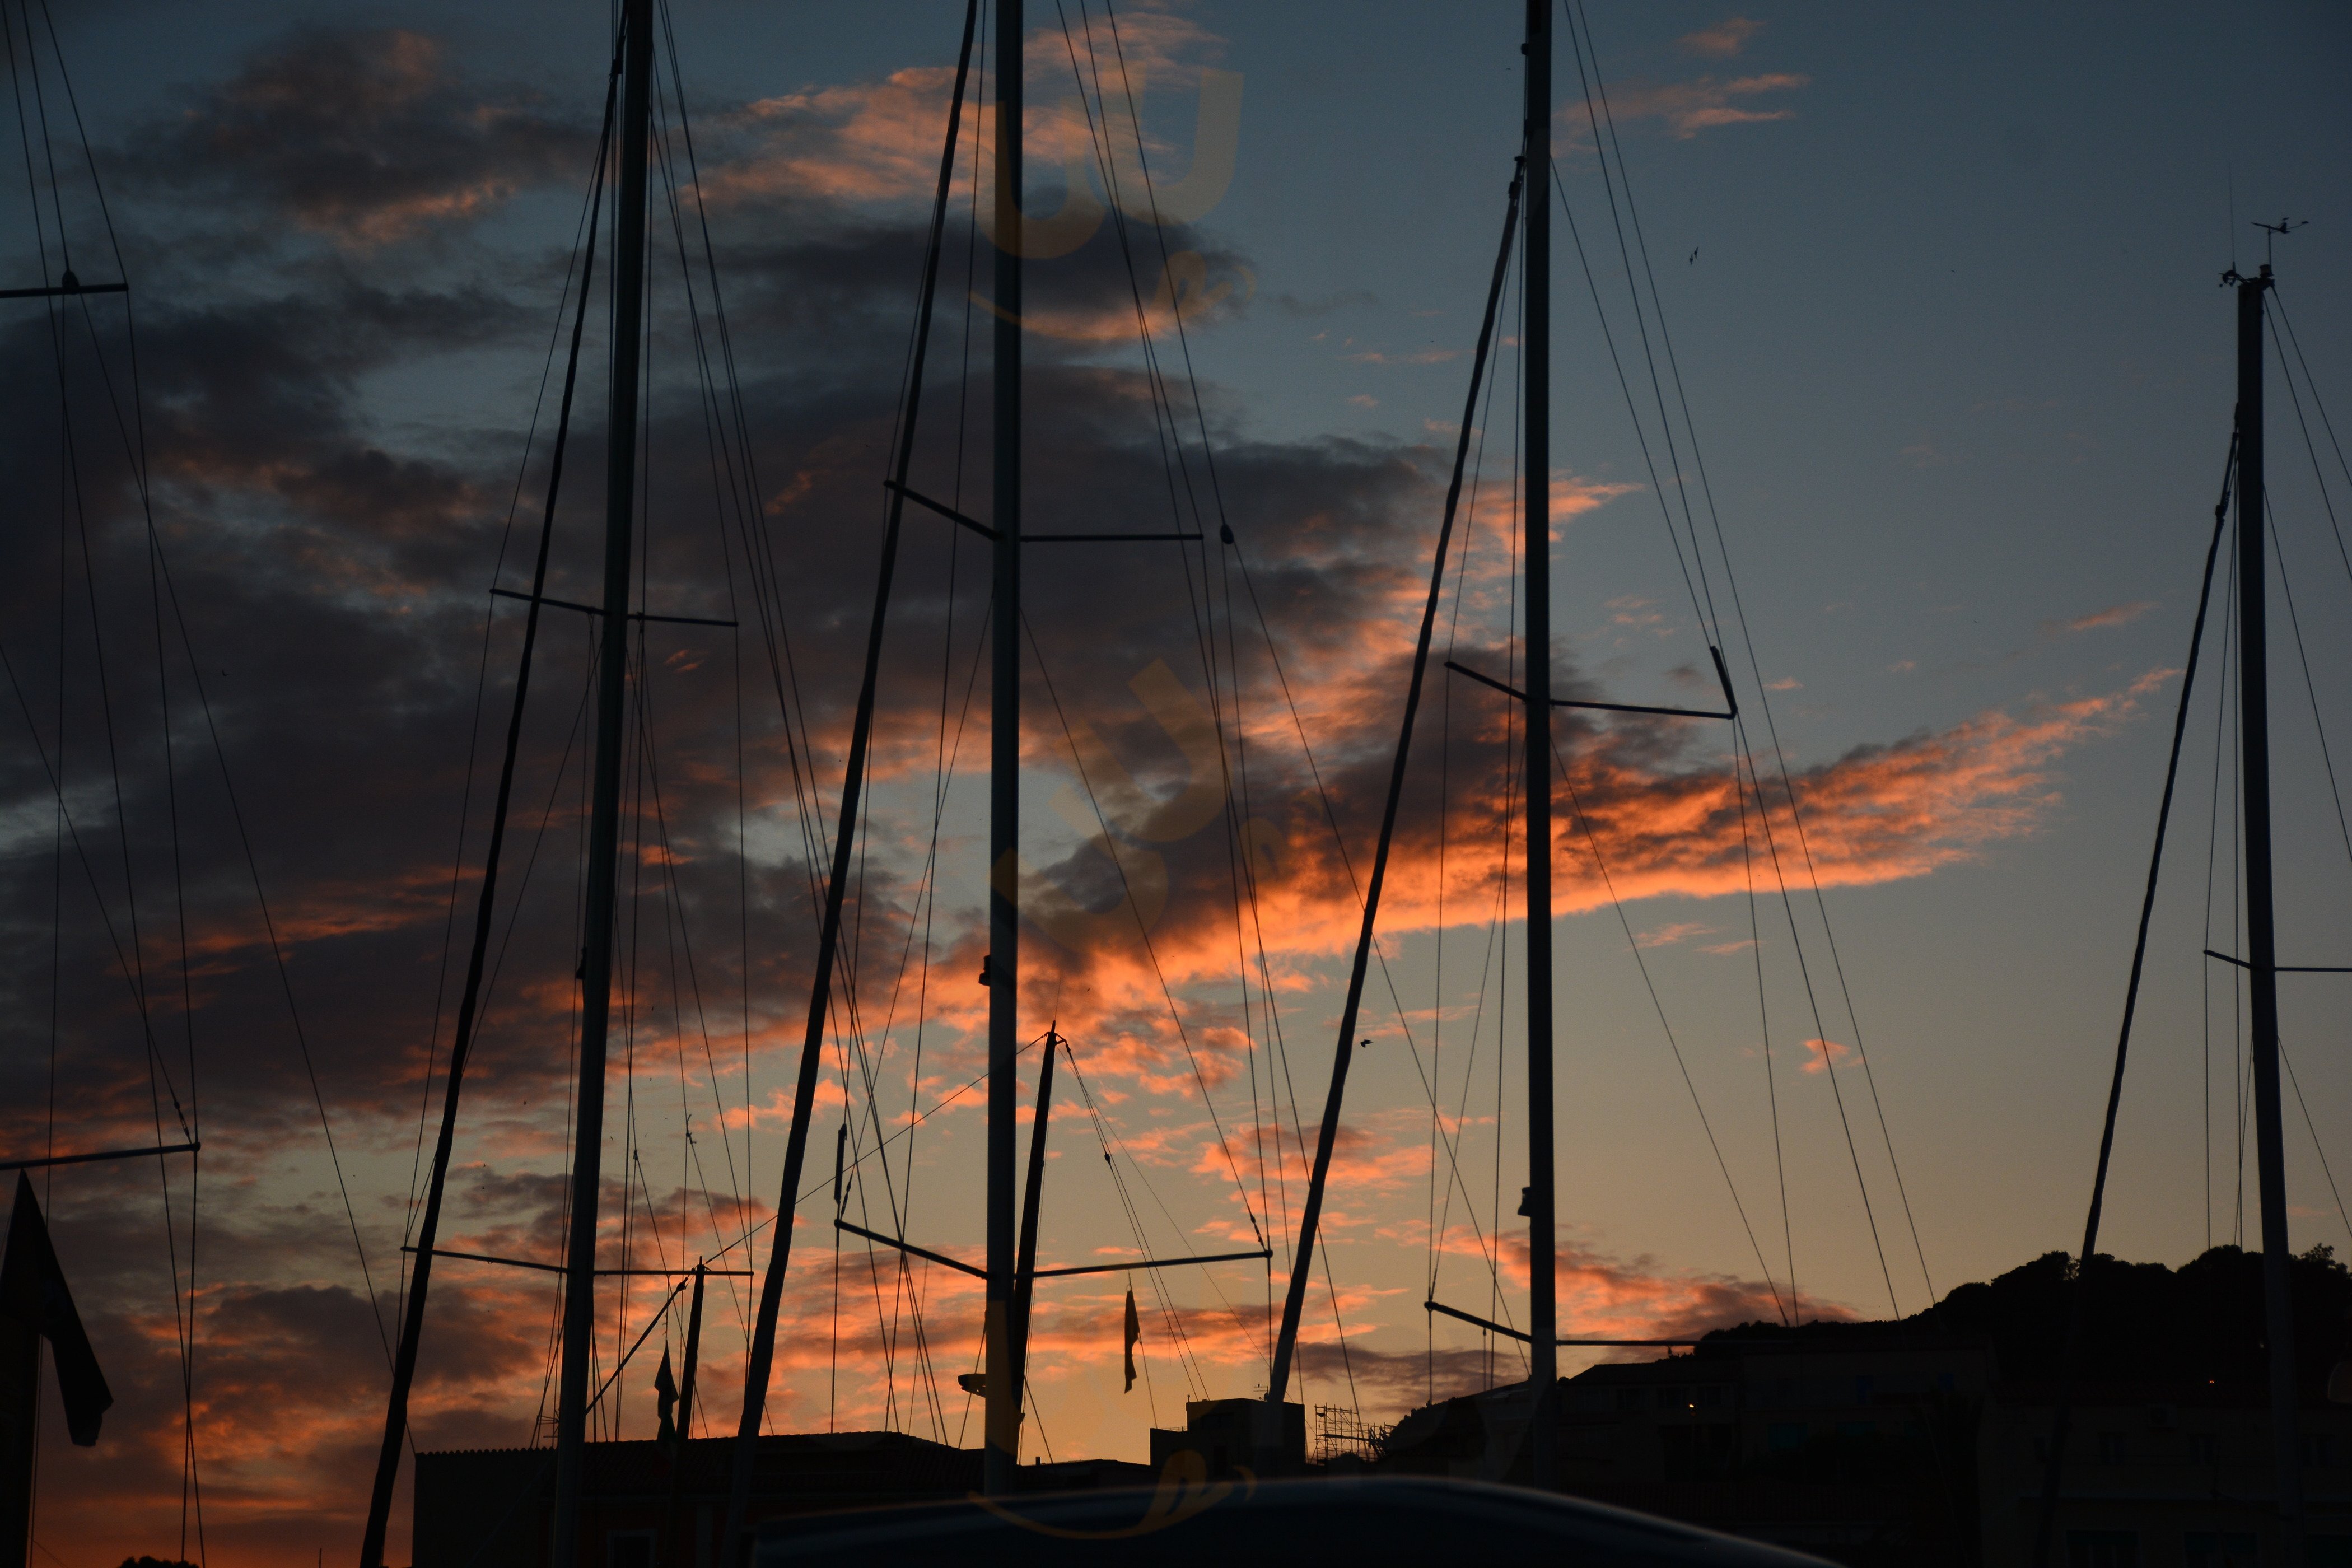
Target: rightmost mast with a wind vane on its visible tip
2261,925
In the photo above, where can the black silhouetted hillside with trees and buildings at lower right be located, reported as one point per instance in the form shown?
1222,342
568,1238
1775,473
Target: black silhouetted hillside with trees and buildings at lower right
1925,1442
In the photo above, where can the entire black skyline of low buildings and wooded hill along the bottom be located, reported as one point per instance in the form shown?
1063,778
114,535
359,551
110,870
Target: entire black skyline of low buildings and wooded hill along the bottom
1911,1445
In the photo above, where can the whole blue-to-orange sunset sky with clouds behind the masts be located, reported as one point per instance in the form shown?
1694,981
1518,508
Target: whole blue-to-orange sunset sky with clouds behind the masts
1942,293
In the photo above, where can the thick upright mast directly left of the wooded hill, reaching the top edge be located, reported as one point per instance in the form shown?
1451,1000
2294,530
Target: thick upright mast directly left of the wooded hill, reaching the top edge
1537,556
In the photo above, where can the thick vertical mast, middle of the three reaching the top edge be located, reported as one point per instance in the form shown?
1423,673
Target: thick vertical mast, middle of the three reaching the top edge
1003,1423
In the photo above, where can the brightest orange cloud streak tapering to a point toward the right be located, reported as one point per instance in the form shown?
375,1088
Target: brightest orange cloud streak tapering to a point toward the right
1149,1017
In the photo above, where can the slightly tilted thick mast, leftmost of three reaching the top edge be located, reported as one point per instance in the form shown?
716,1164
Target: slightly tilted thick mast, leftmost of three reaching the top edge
606,786
